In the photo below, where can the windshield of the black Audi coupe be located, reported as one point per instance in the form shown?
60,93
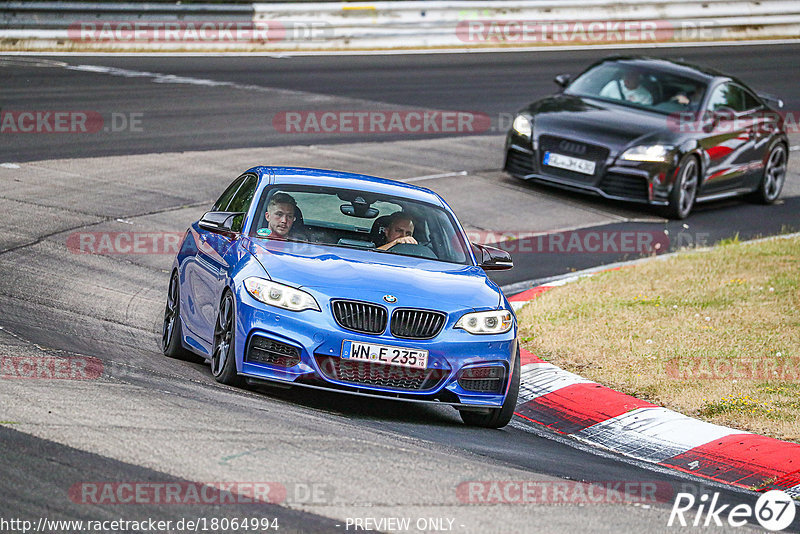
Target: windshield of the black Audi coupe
635,86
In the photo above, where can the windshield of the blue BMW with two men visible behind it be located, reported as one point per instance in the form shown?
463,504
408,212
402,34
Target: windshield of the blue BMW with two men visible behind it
359,219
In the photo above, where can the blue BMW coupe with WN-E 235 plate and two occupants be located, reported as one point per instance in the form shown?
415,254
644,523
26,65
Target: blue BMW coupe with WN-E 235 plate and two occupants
345,282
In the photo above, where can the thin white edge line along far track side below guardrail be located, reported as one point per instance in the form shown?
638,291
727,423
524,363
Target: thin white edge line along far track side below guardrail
400,52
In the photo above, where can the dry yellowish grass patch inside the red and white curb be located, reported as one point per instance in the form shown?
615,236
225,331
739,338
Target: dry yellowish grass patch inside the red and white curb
714,335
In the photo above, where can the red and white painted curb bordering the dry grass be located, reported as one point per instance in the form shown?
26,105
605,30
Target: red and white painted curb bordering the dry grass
602,417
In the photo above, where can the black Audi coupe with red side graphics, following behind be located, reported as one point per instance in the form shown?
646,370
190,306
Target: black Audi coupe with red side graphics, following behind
654,131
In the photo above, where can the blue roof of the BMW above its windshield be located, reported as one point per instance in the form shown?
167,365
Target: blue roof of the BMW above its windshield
344,180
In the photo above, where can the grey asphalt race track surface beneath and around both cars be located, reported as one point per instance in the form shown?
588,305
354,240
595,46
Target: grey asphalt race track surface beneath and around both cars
333,458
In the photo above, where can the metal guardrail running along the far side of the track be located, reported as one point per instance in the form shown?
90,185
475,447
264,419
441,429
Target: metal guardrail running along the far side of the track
389,24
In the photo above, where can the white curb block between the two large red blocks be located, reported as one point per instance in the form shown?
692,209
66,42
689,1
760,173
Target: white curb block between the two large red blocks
653,434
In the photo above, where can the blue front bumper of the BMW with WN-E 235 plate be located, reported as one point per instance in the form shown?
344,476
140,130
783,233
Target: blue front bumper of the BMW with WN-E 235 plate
312,344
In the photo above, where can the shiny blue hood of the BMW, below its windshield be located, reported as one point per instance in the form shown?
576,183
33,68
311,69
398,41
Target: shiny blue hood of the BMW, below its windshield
368,275
